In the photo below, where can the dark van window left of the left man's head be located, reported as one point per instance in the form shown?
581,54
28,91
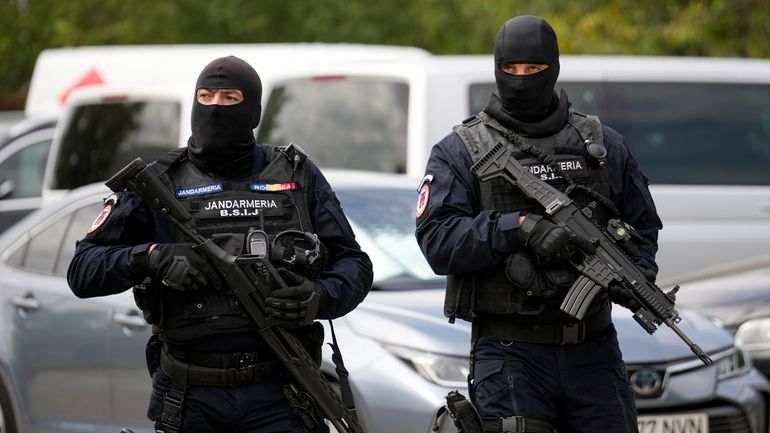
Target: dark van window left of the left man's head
102,138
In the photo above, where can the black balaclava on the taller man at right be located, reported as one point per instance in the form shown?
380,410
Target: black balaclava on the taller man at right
527,39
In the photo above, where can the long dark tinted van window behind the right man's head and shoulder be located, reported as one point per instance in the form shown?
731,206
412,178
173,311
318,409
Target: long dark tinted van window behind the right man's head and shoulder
681,133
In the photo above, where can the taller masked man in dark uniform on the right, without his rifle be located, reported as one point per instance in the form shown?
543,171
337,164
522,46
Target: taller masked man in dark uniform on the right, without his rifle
534,368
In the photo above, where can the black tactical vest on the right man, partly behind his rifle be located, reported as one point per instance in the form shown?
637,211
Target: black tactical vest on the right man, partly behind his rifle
489,292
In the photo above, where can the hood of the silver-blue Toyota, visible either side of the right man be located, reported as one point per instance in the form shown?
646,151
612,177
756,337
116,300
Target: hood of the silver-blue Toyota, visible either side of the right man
414,319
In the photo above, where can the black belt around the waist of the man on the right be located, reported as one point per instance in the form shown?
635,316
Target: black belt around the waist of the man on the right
545,333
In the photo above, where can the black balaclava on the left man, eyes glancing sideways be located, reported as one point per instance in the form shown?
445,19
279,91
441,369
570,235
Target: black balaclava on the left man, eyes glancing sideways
222,135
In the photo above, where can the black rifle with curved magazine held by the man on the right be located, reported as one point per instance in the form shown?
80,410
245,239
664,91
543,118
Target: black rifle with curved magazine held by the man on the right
606,265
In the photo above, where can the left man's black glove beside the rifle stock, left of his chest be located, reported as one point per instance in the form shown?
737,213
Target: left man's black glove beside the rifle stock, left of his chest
181,267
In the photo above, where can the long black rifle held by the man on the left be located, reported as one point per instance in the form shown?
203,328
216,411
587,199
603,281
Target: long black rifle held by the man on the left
250,277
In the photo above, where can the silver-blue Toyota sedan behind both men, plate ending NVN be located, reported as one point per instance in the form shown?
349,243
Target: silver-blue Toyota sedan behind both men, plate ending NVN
73,365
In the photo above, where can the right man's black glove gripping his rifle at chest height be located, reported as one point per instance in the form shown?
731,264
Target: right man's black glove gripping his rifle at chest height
546,239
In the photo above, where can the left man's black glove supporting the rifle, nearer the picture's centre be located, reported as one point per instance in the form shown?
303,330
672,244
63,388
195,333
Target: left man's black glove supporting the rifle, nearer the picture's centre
298,303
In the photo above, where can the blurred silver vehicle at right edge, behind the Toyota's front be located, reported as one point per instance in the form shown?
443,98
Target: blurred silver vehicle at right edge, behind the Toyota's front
737,295
